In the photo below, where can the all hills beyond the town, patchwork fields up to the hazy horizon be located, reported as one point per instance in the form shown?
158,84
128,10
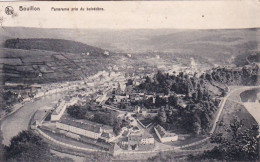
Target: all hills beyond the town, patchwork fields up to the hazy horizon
65,51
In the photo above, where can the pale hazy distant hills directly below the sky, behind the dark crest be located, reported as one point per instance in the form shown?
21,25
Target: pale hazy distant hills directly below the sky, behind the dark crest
217,46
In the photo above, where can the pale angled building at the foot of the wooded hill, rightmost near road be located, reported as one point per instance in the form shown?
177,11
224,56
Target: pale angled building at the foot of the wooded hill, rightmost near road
163,135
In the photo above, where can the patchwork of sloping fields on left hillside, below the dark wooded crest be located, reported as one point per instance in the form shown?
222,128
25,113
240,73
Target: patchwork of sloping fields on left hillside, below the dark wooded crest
42,66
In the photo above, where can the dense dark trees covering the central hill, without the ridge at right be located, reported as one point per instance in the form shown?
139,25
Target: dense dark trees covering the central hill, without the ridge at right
190,106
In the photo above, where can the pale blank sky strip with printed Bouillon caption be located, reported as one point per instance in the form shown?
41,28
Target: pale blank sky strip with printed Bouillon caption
136,14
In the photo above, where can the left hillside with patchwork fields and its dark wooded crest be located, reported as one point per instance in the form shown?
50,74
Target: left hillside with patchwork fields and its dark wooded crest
50,60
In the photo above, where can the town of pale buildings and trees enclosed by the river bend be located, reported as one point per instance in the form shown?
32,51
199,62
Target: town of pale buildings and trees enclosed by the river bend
113,113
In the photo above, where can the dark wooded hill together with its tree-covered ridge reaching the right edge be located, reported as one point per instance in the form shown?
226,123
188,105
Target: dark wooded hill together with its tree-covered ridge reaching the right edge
191,106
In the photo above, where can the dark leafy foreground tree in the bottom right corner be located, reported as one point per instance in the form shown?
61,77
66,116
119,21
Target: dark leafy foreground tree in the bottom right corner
241,146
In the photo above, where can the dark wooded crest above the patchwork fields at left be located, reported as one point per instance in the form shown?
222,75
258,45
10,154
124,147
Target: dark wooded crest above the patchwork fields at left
55,45
